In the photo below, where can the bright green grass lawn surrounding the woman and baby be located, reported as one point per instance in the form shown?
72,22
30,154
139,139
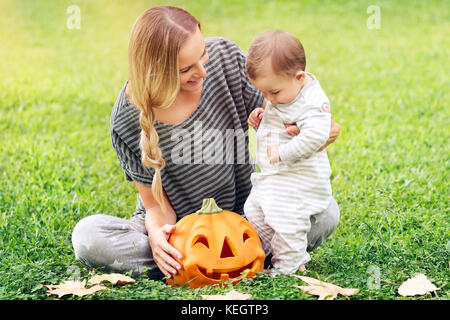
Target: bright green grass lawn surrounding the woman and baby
388,90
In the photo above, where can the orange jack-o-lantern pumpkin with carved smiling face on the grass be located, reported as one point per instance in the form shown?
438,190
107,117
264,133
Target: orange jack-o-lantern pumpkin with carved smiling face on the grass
217,246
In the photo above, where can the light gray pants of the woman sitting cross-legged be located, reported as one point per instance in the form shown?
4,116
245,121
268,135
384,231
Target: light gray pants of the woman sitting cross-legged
118,244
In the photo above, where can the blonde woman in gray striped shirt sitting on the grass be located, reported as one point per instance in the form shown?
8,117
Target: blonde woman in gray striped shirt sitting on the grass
179,128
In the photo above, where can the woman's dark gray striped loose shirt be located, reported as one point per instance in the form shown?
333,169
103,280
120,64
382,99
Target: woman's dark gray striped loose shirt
207,154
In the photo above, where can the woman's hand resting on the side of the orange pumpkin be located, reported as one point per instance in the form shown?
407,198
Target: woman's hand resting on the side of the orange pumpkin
163,252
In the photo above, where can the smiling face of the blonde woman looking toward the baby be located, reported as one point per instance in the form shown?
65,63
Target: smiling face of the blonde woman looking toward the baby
191,59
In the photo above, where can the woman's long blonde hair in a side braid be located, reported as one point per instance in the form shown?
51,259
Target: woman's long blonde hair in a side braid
155,41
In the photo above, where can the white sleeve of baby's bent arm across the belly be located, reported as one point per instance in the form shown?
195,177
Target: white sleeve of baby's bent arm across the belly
314,127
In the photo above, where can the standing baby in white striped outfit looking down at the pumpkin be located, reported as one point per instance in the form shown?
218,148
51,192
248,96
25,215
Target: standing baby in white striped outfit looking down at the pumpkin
294,182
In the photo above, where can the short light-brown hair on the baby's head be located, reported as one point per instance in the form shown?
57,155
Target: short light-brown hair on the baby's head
284,49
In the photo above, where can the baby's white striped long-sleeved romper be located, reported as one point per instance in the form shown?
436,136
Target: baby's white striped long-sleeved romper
285,195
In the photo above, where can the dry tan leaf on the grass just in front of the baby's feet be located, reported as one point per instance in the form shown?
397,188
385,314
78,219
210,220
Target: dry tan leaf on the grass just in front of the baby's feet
324,289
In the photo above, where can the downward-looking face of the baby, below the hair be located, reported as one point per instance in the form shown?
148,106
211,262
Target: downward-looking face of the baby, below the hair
277,88
